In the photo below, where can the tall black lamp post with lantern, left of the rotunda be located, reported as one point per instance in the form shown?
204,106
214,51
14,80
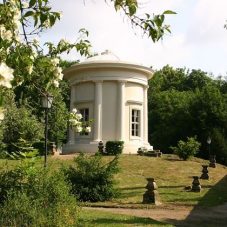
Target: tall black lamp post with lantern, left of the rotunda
47,100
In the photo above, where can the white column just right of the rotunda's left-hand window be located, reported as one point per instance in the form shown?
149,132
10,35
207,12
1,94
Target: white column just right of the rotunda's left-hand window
98,111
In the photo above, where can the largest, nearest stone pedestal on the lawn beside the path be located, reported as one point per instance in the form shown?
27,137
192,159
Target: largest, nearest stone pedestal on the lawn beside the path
151,195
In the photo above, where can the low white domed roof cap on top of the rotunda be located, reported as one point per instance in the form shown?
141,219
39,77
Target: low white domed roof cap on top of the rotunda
106,56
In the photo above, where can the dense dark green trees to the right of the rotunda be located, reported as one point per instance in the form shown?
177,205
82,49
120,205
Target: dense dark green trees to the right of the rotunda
184,103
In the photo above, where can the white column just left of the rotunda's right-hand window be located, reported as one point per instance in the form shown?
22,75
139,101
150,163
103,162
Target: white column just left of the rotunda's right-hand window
121,110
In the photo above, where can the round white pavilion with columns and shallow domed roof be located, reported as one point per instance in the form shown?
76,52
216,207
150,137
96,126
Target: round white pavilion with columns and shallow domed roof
114,94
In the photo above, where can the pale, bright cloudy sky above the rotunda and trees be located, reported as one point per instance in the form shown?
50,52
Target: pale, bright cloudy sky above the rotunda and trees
198,38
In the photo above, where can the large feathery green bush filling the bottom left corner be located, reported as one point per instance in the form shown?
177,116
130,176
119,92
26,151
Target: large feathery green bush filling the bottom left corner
31,196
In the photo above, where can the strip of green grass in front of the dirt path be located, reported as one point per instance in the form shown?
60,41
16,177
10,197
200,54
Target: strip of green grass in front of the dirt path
99,218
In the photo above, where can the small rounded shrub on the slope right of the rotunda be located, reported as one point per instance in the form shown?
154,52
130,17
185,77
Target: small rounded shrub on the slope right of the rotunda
186,149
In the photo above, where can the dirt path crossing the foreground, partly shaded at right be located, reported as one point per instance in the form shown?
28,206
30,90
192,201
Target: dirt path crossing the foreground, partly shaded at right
179,215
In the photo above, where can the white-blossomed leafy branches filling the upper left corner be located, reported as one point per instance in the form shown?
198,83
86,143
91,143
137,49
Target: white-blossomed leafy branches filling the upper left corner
22,59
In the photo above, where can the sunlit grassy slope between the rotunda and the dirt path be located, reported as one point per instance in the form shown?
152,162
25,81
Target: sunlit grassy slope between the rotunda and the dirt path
171,176
